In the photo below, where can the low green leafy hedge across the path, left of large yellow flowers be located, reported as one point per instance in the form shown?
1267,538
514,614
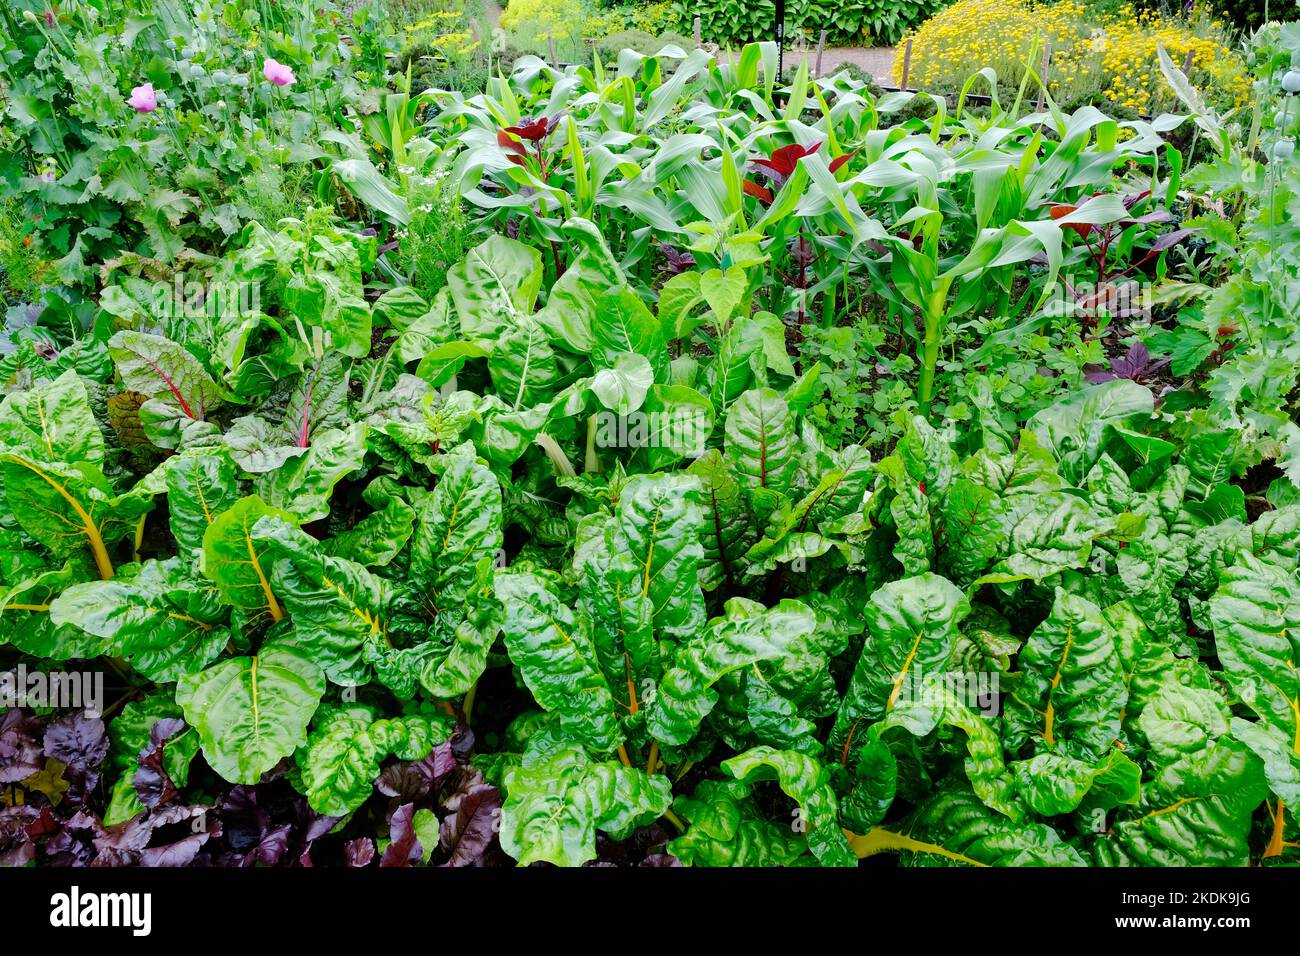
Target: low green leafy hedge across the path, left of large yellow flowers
731,23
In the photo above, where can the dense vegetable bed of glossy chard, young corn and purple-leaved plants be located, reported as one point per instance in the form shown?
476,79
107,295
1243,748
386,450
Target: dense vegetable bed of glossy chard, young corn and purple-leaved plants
556,555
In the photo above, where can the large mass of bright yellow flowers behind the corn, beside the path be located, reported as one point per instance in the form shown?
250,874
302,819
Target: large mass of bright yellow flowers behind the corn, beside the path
1107,59
